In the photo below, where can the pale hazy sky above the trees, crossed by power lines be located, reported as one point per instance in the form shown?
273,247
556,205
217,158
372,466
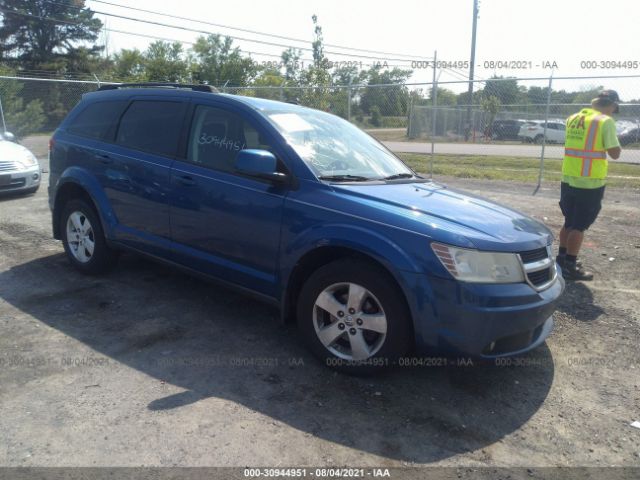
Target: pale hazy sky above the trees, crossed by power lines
537,35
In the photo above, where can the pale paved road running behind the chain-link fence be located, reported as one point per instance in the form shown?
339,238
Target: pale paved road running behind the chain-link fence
551,151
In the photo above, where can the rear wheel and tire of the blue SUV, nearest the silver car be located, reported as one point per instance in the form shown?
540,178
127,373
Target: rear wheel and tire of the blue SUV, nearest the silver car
88,252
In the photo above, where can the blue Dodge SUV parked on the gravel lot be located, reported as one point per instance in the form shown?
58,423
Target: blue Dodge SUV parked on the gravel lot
304,210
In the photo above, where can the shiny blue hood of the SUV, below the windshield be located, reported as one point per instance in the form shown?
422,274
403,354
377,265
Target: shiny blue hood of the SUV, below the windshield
452,216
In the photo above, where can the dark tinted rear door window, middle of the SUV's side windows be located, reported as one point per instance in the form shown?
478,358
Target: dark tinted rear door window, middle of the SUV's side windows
151,126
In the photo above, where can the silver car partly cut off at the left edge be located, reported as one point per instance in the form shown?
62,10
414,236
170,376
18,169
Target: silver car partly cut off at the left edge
19,168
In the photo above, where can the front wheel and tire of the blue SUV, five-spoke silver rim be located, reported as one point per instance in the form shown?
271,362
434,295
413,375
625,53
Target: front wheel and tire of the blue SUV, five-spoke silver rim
347,344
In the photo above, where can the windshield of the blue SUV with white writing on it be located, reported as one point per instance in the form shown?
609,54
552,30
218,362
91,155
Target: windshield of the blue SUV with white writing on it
335,149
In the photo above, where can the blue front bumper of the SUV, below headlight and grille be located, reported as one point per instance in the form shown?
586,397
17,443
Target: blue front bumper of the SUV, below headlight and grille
483,320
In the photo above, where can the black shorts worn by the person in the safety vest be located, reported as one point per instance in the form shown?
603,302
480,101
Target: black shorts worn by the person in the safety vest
580,206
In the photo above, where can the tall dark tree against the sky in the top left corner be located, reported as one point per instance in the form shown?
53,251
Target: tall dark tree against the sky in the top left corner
37,34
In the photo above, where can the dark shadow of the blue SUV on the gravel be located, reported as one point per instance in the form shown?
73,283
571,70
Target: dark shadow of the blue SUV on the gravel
215,343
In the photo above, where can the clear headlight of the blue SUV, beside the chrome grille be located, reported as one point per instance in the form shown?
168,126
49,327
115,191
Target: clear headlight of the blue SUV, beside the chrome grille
479,267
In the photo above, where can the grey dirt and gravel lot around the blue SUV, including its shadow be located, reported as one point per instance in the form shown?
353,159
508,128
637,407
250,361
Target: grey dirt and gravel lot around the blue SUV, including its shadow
148,366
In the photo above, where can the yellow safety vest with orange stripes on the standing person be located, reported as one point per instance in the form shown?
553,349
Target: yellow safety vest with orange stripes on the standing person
584,154
